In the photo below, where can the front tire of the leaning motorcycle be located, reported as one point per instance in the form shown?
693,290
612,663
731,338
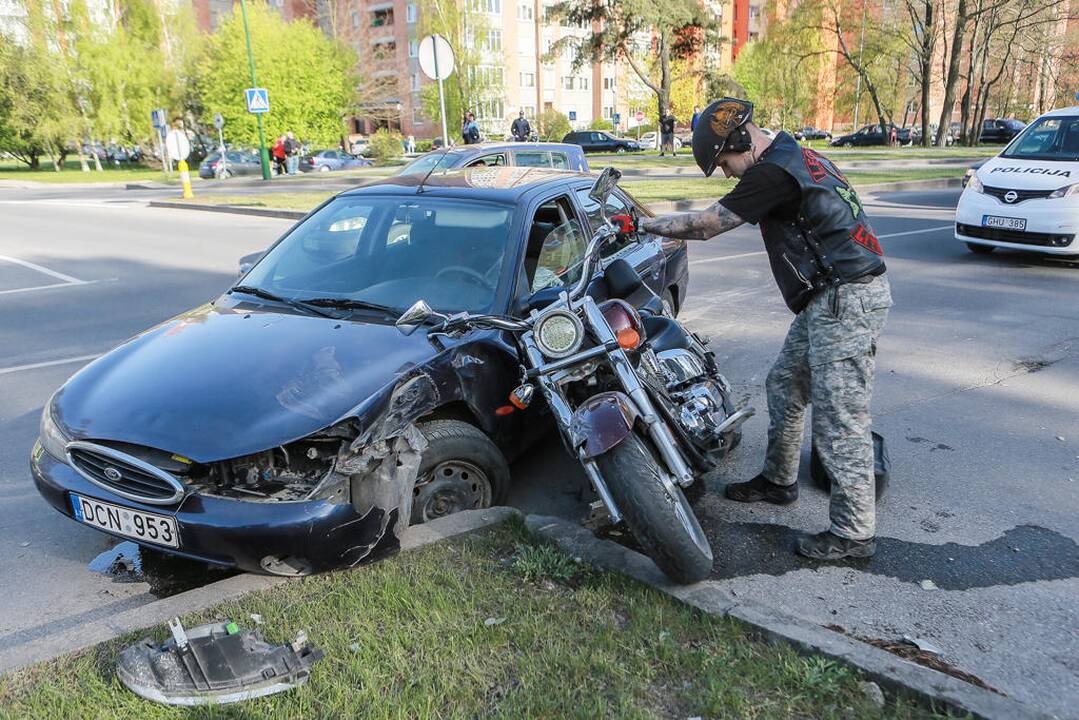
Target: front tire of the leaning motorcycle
665,527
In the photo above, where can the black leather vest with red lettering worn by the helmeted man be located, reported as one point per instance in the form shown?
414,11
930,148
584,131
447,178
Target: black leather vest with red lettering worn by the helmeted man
830,241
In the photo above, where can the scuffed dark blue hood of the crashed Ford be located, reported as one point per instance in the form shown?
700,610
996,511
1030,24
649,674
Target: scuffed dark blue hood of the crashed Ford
217,383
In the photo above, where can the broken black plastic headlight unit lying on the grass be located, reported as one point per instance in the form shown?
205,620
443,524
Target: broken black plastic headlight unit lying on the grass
214,664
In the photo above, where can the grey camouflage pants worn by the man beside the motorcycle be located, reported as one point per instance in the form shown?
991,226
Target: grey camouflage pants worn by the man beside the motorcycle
828,361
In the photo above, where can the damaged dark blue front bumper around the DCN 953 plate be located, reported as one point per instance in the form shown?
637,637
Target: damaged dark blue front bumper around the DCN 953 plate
315,536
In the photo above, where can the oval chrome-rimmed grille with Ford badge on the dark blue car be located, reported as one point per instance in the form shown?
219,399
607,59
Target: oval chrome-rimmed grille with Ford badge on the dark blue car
125,476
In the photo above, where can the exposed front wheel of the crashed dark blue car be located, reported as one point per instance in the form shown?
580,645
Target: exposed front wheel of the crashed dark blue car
459,458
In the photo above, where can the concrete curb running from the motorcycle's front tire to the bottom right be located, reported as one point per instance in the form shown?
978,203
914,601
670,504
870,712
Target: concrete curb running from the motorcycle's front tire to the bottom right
891,672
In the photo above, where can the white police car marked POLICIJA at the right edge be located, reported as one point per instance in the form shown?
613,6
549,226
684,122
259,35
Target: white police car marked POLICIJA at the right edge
1027,198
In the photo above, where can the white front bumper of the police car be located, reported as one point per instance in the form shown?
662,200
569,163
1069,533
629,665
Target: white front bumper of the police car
1051,225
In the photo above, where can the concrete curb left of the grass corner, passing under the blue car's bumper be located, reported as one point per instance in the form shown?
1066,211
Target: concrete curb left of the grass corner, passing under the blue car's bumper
160,612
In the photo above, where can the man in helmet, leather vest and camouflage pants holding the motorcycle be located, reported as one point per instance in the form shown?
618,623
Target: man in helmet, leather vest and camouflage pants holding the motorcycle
829,267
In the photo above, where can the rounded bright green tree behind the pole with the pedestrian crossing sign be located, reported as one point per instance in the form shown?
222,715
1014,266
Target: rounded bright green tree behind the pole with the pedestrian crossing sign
309,78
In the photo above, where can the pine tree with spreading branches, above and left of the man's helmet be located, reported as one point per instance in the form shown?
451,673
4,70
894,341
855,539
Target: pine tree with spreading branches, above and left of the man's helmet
649,35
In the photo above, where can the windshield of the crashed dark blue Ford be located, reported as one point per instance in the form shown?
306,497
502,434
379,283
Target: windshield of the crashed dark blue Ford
392,252
